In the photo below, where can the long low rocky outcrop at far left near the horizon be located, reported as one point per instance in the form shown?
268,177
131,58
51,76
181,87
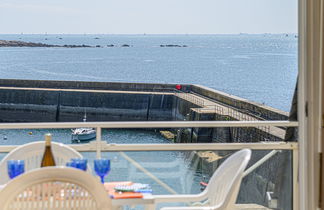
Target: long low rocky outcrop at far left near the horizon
5,43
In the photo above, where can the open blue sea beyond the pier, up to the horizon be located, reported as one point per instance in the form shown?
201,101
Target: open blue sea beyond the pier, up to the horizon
262,68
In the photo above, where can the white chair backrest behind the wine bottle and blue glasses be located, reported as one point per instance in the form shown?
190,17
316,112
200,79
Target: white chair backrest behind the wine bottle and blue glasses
32,154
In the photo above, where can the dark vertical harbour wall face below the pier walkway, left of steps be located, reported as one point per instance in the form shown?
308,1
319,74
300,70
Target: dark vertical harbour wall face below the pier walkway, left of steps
65,106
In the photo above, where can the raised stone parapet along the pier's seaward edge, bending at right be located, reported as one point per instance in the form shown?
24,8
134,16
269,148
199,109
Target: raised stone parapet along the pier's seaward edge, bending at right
252,108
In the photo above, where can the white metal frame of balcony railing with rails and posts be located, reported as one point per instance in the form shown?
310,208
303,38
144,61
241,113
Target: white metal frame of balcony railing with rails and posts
99,146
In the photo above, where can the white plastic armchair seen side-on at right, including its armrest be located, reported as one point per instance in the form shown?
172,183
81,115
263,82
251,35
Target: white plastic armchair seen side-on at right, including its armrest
222,189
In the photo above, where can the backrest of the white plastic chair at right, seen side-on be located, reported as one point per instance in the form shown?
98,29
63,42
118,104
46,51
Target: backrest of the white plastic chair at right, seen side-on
224,185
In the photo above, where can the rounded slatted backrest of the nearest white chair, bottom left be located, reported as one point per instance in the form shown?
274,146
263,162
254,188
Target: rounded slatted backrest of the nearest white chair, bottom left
55,188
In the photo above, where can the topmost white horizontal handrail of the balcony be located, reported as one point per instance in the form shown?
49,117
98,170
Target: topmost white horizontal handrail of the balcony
149,124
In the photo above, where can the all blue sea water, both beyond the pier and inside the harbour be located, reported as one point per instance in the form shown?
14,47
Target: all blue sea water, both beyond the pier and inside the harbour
258,67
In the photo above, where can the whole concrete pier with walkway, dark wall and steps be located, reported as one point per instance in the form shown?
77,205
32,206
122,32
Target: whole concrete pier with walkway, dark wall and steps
67,101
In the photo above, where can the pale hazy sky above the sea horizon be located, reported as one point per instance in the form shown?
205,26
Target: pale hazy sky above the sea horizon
148,16
